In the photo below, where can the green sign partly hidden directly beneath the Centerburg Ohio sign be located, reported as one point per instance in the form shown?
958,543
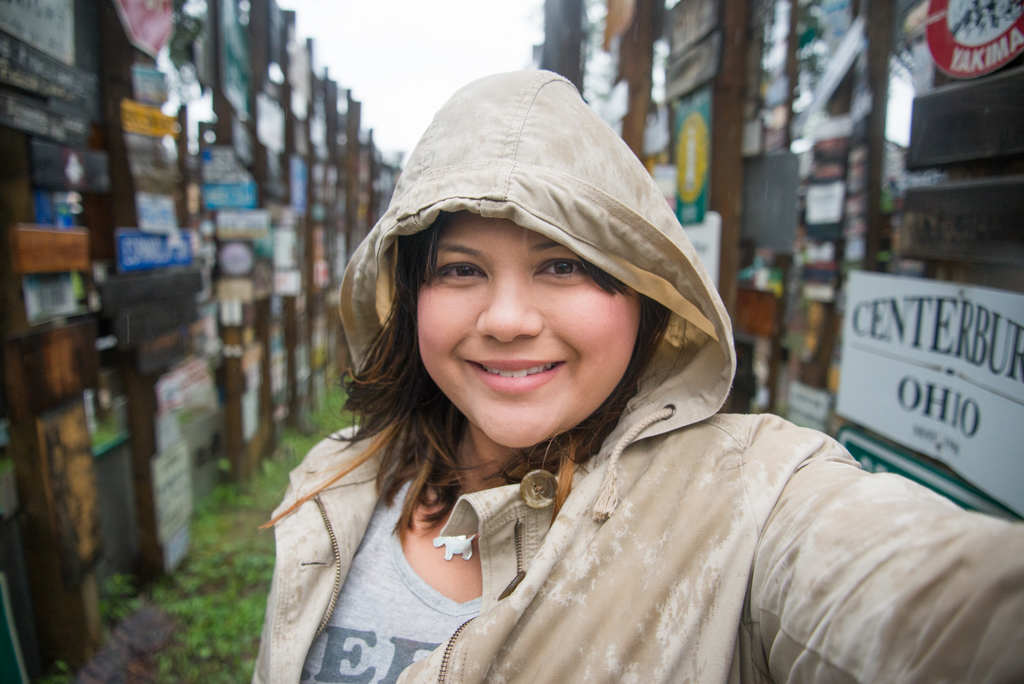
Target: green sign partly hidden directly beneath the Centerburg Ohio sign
877,457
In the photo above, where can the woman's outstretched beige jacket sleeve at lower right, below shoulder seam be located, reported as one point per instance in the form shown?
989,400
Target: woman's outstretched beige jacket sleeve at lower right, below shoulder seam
872,578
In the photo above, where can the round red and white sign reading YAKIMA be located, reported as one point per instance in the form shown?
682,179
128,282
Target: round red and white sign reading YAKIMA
971,38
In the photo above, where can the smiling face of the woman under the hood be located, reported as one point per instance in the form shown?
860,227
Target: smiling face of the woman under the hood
518,335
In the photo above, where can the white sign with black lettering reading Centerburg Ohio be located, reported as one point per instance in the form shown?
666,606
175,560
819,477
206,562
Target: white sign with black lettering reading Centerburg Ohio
940,368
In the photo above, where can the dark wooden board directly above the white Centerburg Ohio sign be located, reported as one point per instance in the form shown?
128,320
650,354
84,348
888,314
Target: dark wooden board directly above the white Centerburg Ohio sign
971,221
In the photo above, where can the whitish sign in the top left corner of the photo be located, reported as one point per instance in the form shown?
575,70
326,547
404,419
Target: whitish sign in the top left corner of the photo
48,25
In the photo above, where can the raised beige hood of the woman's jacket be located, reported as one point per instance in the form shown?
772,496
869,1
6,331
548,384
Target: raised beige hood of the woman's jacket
525,147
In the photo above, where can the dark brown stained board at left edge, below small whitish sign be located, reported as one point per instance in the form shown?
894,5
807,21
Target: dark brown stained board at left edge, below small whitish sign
49,368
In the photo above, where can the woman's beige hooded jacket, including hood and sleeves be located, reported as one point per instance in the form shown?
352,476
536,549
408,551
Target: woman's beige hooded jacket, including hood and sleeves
695,547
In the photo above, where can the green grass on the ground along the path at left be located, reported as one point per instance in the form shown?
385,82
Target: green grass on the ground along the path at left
219,595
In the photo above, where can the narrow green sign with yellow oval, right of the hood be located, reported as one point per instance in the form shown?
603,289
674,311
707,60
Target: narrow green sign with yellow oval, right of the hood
694,155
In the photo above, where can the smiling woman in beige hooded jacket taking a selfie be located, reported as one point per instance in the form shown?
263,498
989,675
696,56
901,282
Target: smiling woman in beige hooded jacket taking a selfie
540,488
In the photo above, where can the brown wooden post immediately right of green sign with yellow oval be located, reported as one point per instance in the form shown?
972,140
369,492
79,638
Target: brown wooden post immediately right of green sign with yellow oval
727,185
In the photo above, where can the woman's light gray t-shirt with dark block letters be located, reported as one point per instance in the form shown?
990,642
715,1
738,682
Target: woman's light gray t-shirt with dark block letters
388,617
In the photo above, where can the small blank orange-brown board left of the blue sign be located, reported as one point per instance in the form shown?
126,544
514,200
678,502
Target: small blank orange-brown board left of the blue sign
36,249
